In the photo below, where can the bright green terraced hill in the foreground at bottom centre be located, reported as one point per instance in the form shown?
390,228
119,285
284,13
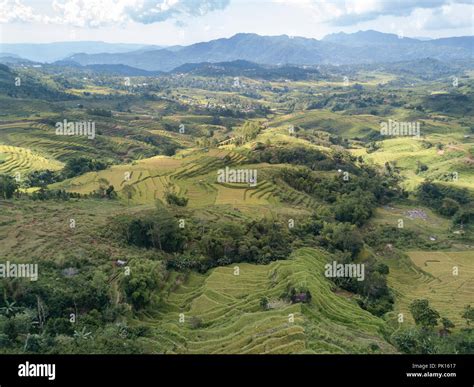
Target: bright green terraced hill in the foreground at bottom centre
222,312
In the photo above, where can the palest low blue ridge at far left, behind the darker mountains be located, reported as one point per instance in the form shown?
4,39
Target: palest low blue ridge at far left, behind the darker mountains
49,52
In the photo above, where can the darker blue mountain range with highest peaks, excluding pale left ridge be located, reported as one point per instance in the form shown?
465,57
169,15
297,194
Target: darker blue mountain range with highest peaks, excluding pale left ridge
360,47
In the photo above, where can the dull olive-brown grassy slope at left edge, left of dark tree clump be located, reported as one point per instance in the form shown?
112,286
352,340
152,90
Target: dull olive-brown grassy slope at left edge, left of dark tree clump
40,231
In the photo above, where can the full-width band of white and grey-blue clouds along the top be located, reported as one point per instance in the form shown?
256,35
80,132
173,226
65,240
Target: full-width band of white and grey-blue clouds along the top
436,14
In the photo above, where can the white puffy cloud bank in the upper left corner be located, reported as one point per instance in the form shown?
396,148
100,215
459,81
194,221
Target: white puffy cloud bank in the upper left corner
97,13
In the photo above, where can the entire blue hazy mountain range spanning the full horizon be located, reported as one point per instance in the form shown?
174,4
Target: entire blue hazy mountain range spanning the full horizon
363,47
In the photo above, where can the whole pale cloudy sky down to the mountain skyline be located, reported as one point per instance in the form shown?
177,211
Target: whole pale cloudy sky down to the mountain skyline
171,22
